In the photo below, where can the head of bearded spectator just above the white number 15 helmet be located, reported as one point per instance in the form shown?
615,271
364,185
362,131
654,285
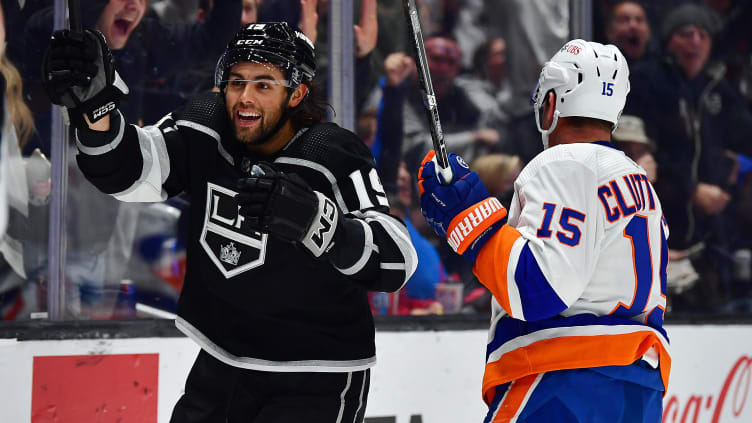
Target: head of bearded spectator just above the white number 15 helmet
628,28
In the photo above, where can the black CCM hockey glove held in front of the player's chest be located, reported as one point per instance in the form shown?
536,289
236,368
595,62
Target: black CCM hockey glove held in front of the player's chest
284,205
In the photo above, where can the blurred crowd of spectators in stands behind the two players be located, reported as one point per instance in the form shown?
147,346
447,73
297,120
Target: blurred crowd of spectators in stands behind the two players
688,122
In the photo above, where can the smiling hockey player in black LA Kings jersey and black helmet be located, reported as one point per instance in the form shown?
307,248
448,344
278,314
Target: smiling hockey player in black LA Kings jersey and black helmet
289,224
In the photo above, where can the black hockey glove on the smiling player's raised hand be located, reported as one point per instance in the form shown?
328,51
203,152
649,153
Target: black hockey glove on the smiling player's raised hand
78,72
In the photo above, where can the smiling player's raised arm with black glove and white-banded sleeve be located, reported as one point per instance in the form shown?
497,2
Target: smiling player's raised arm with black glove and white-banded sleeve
128,162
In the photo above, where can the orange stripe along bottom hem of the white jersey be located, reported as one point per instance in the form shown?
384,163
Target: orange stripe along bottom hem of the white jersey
573,352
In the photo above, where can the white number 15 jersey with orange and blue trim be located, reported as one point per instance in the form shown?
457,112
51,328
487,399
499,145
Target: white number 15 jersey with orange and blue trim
578,272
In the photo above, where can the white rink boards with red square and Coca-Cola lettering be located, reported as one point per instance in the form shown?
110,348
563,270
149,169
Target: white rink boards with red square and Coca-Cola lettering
421,376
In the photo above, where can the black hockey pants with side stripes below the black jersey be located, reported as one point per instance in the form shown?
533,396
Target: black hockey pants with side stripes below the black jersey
218,393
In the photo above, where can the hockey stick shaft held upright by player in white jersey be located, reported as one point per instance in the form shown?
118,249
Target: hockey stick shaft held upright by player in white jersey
429,98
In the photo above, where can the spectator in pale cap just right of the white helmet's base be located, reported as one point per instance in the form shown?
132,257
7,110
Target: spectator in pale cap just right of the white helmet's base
630,137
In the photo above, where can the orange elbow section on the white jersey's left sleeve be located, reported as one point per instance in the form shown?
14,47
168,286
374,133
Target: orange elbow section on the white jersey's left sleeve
491,264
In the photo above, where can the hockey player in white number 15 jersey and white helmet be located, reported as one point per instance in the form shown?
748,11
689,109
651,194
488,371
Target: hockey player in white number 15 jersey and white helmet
577,267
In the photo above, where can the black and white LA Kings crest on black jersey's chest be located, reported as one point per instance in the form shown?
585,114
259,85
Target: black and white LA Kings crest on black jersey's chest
232,247
